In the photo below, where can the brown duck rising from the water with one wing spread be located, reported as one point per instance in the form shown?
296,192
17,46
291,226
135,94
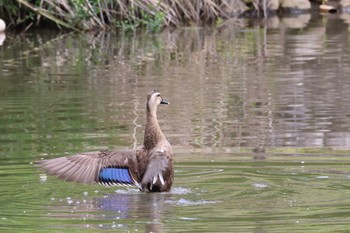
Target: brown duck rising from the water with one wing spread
149,167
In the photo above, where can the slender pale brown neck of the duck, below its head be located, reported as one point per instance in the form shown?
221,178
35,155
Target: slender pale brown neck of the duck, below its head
153,134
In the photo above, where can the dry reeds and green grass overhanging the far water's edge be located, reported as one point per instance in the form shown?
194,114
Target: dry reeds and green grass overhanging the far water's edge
128,15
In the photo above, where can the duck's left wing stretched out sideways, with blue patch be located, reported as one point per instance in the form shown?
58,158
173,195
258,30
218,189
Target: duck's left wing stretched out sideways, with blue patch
104,167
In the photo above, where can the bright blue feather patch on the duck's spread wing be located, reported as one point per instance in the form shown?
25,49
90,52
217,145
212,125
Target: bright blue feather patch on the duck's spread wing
115,175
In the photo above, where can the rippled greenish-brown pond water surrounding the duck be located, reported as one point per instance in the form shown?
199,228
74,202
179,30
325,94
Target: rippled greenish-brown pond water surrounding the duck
259,121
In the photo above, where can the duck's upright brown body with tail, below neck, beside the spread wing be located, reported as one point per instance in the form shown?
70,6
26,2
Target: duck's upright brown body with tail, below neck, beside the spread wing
159,172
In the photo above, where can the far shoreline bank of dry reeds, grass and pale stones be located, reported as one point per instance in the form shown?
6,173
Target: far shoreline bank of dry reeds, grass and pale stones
87,15
